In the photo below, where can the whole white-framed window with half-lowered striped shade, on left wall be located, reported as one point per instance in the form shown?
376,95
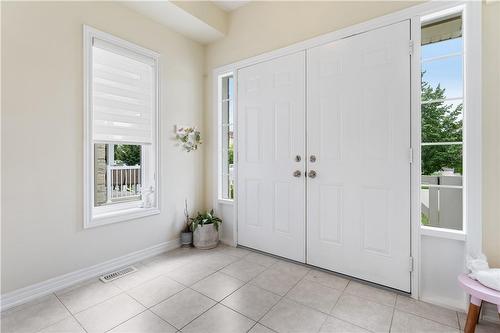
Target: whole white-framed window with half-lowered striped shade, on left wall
121,115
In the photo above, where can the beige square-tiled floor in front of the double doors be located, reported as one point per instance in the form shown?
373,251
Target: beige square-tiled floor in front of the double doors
229,290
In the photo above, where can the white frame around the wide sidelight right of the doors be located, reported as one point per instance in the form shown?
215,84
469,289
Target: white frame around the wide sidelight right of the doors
471,231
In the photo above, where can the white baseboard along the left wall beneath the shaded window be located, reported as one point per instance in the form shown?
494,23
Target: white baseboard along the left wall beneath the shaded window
46,287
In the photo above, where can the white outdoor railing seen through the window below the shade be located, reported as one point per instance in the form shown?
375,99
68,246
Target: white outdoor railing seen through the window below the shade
124,182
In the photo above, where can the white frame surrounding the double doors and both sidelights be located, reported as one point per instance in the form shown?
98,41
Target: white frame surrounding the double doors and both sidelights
472,233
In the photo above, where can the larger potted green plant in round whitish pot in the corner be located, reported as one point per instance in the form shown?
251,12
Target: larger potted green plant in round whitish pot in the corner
205,230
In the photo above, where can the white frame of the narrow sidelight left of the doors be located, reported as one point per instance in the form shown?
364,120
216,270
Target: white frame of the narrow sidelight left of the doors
220,133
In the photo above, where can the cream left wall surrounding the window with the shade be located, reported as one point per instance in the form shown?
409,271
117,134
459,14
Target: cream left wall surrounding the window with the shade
42,138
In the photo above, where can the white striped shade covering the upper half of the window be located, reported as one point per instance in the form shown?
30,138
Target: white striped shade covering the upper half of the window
123,94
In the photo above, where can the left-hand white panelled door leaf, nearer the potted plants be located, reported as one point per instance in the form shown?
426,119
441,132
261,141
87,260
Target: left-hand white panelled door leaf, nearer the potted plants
271,132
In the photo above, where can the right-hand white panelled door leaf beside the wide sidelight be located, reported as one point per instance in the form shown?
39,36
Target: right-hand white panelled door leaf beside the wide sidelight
358,125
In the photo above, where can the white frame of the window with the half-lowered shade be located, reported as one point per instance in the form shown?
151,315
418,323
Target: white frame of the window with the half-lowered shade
97,216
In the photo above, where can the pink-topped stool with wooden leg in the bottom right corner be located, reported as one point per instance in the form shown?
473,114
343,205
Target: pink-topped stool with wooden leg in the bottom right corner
478,293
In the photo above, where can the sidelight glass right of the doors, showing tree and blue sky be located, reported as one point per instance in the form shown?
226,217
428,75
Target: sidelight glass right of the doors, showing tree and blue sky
442,127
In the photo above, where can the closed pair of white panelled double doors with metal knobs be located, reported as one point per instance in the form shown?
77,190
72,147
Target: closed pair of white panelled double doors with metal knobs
324,158
